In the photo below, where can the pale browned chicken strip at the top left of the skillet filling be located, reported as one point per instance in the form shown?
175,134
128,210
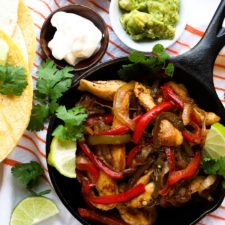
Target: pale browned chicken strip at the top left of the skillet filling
103,89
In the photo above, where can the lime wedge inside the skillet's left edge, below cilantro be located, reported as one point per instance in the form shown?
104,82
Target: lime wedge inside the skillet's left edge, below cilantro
62,157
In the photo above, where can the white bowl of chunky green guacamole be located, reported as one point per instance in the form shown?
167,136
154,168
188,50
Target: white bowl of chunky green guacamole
141,25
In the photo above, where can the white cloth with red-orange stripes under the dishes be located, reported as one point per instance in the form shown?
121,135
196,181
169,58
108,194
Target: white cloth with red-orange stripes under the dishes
32,145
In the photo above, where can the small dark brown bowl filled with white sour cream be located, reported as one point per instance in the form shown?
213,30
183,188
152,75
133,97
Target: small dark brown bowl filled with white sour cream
74,36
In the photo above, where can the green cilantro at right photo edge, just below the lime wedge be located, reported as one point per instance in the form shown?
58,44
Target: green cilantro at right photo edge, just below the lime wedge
214,166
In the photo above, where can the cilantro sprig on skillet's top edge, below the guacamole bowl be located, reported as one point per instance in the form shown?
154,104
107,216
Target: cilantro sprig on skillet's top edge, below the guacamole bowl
140,65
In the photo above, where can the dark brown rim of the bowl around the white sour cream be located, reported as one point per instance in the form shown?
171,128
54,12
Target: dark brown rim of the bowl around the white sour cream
105,36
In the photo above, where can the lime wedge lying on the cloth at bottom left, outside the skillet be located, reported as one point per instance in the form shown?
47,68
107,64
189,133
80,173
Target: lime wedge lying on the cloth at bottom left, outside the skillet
33,210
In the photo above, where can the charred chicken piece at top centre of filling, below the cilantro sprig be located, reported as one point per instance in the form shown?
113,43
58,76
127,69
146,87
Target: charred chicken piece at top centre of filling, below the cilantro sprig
143,93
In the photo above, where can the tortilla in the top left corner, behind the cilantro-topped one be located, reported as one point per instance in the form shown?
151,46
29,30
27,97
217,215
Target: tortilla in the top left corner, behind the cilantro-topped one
17,23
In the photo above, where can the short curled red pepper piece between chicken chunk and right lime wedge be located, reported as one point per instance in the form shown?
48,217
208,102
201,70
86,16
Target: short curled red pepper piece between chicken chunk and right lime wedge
195,137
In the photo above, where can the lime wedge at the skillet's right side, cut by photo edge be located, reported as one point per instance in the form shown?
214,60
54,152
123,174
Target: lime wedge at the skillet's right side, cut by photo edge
215,141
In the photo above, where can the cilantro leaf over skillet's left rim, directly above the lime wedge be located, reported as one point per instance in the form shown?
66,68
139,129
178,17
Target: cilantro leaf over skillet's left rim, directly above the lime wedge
73,127
